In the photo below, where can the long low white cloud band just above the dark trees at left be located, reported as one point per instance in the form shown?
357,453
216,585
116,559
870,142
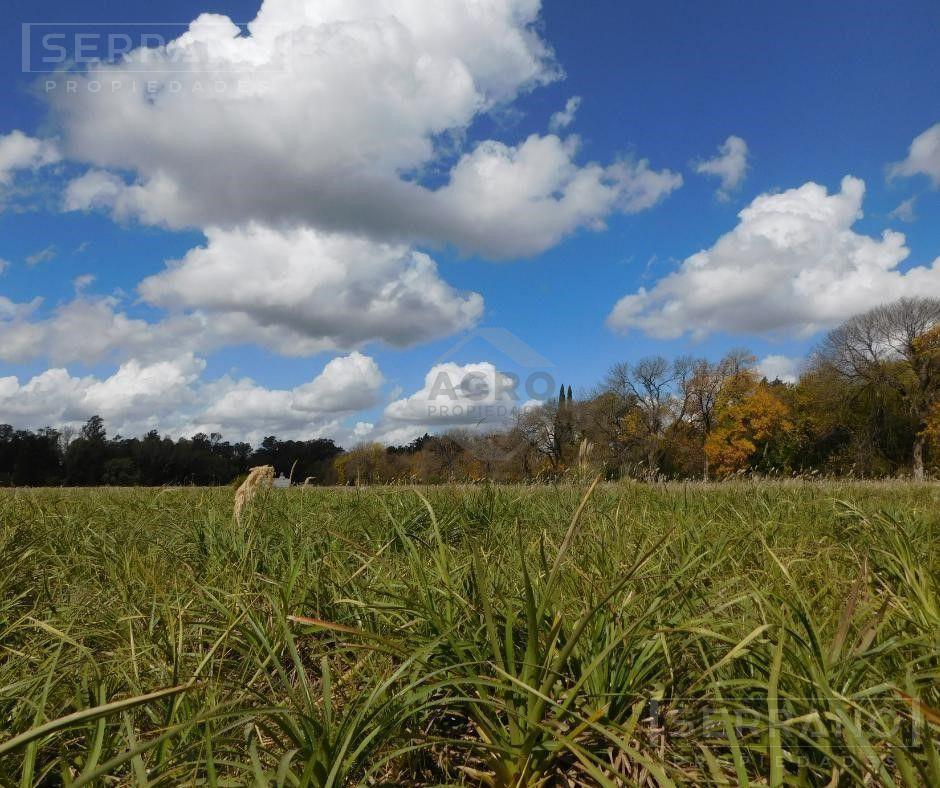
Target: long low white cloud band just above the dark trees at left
173,397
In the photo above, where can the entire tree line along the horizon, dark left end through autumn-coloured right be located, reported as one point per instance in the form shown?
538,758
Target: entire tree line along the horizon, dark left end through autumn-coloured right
867,405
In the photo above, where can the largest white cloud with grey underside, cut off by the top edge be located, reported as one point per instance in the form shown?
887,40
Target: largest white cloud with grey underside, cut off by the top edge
331,114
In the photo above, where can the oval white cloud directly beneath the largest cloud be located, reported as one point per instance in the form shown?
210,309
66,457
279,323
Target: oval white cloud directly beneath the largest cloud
315,290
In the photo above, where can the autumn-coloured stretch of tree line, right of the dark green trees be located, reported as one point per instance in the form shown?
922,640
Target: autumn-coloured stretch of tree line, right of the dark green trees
866,405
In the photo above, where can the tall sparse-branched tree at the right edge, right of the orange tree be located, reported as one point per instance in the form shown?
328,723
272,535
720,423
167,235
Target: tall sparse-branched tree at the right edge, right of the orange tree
895,346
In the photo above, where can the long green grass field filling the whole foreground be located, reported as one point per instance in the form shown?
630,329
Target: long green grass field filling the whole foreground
730,634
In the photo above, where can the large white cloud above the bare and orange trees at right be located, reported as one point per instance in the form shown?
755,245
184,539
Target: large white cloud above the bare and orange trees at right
793,263
